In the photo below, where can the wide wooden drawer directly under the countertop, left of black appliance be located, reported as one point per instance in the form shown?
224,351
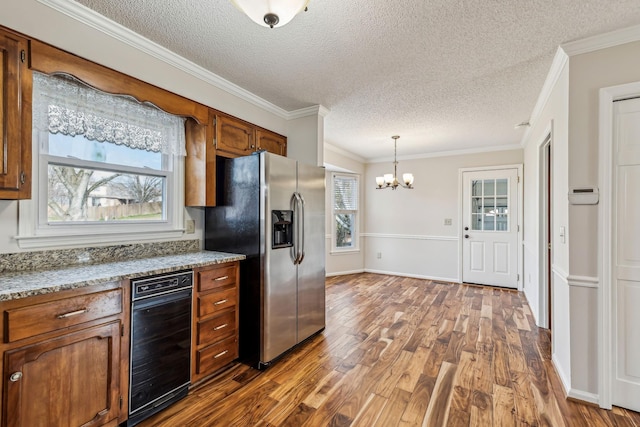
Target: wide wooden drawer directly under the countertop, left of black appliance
38,319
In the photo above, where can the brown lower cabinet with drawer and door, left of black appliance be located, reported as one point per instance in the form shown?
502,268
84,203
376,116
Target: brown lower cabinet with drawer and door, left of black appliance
65,358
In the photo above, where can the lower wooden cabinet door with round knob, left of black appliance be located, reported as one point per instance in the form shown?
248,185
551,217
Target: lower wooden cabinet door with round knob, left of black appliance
68,381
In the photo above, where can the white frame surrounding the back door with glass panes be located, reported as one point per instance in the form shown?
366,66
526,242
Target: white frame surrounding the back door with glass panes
520,216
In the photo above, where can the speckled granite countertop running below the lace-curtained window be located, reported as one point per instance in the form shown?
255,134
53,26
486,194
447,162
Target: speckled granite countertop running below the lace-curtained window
21,284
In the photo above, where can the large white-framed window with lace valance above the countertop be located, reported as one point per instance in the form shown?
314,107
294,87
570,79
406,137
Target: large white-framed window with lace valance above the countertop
106,165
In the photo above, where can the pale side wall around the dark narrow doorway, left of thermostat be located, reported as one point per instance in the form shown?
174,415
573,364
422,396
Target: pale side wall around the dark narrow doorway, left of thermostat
553,119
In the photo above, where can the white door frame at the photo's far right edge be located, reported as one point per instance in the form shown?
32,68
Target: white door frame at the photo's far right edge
605,230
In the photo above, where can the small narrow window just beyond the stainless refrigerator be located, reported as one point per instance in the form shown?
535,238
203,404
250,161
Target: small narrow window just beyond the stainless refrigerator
345,212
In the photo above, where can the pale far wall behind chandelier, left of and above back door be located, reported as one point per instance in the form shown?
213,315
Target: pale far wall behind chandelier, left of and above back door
406,227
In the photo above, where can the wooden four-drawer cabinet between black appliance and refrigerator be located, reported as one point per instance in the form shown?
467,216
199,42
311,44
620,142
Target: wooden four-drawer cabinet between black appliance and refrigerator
215,319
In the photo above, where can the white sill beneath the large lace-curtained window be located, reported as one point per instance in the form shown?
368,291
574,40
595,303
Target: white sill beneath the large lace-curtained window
71,240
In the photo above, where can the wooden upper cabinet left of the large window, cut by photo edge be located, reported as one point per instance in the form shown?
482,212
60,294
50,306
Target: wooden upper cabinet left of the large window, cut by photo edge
15,117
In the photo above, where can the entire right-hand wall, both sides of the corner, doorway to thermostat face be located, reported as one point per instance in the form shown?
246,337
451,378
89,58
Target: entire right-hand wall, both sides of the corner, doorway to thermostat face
572,113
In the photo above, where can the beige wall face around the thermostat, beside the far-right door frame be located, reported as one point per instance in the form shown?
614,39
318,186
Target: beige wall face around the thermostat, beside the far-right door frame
588,73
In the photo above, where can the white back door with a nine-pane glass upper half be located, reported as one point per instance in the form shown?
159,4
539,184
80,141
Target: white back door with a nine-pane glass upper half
490,227
